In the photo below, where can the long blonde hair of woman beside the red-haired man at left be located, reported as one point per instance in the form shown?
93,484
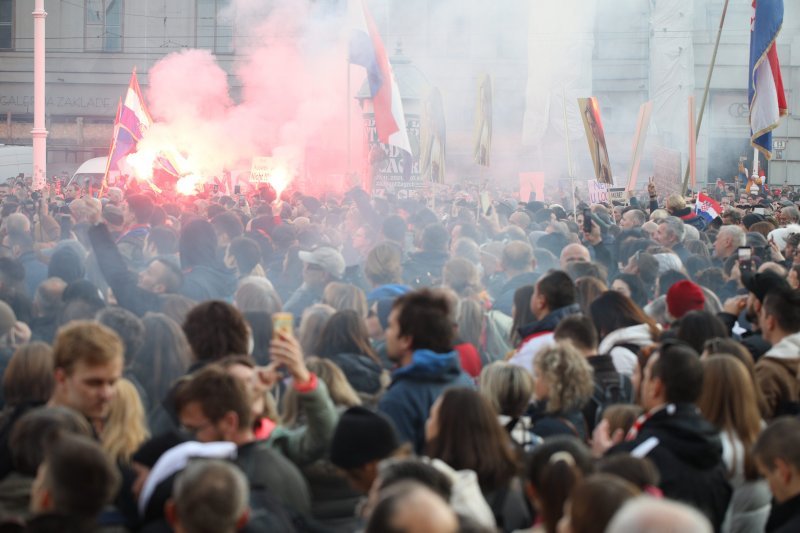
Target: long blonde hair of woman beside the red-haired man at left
126,427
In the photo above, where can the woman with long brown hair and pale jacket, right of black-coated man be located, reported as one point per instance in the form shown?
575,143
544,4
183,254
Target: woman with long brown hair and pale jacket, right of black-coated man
728,401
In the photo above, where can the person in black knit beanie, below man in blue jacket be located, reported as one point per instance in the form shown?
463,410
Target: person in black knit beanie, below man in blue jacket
363,439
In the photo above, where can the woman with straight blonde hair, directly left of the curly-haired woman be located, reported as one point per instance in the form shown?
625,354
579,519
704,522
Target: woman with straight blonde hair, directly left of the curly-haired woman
509,388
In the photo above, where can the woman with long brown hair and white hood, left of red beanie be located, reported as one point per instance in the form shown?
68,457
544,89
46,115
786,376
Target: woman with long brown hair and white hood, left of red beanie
623,329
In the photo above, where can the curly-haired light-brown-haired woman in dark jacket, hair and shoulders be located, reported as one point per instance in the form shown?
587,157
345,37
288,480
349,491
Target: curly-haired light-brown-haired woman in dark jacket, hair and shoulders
563,383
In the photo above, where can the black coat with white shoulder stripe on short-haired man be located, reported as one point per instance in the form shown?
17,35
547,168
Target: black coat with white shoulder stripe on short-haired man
687,451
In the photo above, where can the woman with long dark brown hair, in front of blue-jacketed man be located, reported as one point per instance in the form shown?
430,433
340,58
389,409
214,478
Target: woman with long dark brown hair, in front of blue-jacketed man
462,430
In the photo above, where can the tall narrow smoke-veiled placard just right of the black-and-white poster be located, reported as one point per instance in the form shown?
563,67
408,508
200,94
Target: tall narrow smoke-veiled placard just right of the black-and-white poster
433,138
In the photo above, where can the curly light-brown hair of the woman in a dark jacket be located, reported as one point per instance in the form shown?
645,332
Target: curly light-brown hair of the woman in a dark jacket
569,375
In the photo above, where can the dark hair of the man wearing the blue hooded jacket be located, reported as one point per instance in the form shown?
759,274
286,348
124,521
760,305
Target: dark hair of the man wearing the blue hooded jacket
424,315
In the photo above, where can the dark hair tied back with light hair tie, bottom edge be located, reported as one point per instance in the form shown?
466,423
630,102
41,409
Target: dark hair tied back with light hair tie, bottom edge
554,468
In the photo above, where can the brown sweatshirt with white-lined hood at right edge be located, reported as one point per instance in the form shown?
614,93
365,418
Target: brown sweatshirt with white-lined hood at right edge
776,374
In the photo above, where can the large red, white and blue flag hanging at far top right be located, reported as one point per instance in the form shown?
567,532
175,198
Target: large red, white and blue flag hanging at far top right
765,88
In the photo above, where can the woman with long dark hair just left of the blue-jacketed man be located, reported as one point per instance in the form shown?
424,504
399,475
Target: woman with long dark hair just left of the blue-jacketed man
345,341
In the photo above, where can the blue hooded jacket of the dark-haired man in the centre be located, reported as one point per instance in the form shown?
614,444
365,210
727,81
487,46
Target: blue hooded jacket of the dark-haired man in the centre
415,388
